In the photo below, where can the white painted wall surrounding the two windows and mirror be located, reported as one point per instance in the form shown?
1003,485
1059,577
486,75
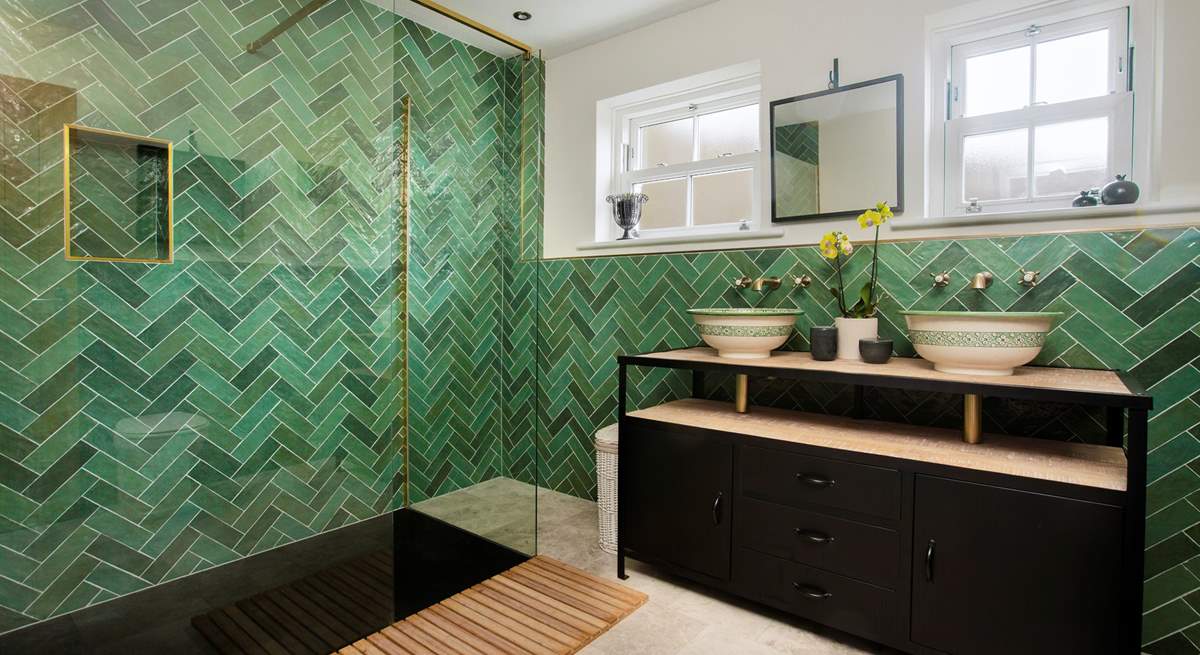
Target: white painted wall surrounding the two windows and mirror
795,44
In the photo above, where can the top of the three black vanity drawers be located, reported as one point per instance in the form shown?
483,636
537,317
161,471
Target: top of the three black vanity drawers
794,479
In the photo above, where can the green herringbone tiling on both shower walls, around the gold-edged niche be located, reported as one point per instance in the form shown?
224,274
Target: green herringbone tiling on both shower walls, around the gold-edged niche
273,342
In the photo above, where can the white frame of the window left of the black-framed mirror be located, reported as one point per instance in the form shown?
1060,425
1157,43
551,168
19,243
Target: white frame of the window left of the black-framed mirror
628,122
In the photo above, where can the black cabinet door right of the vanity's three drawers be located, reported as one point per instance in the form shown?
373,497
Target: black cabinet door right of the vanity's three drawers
1003,572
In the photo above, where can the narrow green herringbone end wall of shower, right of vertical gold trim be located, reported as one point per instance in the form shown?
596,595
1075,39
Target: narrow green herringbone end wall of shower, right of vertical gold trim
461,299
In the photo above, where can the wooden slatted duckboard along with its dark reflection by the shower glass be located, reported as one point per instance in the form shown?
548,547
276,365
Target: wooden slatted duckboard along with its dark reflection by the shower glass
541,606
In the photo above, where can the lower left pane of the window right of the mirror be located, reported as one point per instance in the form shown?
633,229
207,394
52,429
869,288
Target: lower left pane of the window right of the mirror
995,166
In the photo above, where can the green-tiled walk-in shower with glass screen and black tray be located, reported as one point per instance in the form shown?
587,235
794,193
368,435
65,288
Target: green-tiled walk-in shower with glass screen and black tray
268,281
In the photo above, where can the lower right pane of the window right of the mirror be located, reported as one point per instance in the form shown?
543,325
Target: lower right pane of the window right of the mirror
1071,157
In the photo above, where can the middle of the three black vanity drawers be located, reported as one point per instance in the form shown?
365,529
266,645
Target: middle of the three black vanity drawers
848,548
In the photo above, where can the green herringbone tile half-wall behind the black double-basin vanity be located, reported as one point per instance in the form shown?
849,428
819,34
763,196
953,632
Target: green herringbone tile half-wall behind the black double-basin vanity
1131,299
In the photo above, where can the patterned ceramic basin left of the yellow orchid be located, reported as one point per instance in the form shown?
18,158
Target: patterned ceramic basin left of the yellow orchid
749,334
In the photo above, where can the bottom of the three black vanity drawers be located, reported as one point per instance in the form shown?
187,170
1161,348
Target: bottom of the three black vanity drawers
819,596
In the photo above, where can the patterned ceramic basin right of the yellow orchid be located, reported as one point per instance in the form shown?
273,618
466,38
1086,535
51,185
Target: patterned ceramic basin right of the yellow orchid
980,344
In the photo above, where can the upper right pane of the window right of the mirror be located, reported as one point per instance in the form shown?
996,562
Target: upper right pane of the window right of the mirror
1075,68
